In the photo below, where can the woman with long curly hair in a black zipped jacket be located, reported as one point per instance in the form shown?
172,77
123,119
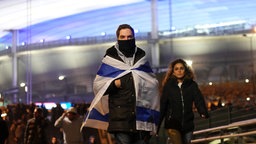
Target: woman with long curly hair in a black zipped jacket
178,94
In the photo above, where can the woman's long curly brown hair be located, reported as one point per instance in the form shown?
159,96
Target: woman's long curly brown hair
188,72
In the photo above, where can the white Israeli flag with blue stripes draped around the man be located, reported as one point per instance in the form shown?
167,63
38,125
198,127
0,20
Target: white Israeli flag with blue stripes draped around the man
146,88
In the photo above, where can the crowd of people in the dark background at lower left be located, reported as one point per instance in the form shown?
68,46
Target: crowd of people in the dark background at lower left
31,124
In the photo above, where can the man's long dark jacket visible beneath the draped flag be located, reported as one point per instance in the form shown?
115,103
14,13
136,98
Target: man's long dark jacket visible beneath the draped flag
122,101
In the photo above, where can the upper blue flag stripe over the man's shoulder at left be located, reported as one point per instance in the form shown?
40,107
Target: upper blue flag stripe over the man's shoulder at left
109,71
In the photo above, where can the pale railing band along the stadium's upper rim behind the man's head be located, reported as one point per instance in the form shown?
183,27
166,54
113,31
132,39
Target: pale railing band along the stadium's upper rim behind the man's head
225,30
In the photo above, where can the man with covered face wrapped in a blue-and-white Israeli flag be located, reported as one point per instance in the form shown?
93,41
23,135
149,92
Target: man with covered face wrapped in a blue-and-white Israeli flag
126,102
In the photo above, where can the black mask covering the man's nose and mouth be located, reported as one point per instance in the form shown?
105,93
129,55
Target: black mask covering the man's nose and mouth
127,47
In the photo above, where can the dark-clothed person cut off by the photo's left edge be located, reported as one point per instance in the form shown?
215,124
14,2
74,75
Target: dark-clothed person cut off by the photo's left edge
4,133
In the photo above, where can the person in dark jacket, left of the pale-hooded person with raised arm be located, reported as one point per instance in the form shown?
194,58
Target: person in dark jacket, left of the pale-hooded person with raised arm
35,131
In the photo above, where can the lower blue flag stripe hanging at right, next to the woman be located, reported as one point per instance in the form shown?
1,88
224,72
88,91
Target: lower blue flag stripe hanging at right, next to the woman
147,115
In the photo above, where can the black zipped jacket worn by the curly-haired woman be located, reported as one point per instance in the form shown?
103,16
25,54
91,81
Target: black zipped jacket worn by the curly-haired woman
177,104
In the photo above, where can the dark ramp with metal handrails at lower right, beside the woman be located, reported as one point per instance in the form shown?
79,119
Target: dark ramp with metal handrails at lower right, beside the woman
233,124
